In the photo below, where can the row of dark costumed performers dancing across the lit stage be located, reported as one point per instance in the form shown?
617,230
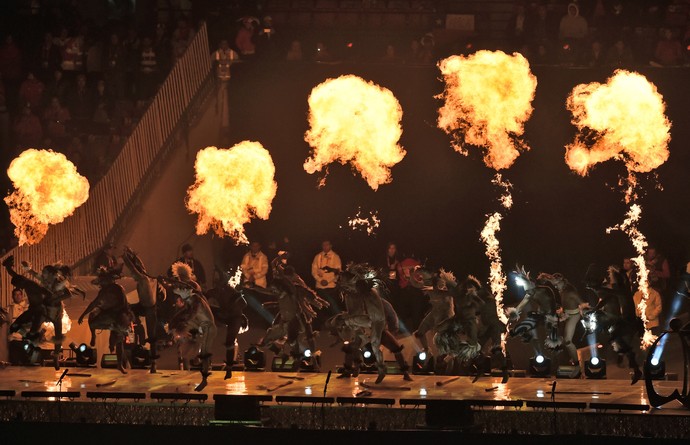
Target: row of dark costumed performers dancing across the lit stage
463,317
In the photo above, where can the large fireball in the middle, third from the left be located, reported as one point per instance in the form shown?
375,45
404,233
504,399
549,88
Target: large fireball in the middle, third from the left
352,120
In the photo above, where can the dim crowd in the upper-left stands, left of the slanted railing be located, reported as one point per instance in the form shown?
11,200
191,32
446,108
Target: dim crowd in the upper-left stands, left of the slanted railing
80,87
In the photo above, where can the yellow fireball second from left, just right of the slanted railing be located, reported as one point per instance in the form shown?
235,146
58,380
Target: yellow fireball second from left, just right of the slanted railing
232,186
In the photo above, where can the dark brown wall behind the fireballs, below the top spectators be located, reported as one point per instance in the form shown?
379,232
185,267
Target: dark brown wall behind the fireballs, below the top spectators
436,205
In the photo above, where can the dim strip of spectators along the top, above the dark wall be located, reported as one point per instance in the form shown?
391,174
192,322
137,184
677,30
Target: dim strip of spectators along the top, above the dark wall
588,33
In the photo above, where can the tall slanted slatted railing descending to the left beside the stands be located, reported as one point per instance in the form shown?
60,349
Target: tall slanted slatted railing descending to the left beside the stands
161,127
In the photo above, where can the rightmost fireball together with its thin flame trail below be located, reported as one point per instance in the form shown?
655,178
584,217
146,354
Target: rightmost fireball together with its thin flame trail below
623,119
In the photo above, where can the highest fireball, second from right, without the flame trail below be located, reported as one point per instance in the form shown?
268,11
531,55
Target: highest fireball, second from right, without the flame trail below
488,98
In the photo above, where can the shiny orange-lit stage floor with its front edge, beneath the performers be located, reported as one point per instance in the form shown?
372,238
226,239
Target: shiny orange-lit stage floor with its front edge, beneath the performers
296,400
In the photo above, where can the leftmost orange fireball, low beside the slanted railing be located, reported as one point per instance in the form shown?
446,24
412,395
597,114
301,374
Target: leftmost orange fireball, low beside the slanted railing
48,189
